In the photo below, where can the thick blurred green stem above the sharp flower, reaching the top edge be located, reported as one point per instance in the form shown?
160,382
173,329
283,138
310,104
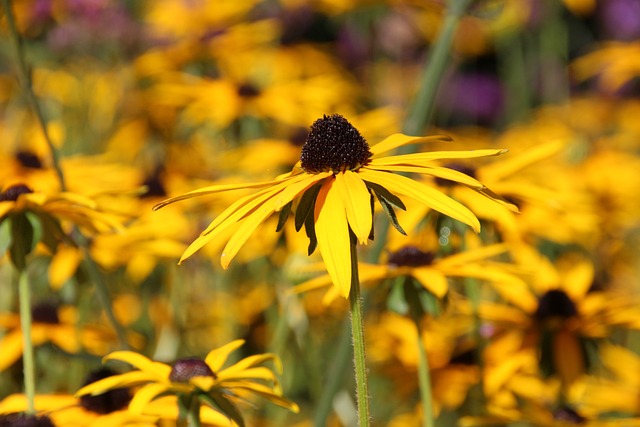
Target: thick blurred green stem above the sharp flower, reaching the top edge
422,109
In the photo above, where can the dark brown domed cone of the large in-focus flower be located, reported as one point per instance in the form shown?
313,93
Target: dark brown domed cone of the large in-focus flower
333,144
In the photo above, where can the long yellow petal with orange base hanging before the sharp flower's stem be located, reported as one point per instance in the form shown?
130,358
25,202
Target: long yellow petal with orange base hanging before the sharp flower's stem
332,232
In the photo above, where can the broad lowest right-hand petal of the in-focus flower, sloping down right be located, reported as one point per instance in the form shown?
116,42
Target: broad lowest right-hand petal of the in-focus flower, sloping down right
422,193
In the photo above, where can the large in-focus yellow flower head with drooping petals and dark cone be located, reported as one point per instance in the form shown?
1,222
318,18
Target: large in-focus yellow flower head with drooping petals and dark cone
333,187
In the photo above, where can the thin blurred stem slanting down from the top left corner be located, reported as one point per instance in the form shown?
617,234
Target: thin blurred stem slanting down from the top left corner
24,77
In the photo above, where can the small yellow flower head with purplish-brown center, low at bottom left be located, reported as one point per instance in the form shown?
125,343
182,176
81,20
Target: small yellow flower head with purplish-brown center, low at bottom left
195,382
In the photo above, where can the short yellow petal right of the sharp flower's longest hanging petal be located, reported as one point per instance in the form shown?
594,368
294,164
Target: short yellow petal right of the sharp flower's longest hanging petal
357,201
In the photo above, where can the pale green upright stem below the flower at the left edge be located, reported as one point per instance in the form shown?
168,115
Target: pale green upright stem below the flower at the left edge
24,292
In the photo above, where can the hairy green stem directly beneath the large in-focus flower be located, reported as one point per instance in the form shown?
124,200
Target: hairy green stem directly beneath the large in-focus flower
357,332
